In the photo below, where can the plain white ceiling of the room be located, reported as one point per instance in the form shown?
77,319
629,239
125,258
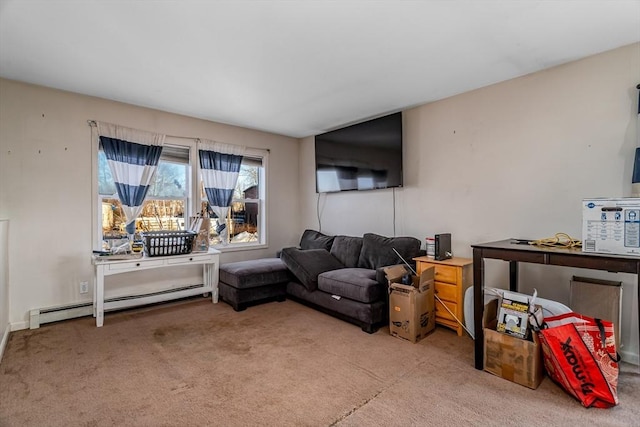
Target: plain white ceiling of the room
302,67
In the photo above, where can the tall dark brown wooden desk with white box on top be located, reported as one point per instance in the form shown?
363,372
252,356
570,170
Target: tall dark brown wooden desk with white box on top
514,253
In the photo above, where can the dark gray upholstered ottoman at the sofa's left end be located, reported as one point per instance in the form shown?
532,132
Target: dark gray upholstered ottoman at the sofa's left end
252,282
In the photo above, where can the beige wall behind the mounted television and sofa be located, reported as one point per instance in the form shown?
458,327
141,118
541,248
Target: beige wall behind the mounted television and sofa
510,160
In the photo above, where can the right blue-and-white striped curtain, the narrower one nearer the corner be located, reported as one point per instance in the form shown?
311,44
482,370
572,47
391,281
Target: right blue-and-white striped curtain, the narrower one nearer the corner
220,167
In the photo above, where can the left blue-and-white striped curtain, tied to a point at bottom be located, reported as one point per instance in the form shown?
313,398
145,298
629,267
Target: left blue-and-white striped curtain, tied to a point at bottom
133,158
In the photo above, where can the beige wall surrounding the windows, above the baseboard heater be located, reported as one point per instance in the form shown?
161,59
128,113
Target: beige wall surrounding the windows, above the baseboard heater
45,186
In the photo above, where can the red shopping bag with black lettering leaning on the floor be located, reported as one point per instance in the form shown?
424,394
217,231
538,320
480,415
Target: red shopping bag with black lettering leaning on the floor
579,353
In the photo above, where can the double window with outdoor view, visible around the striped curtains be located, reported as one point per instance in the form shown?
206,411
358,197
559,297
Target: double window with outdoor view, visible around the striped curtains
172,199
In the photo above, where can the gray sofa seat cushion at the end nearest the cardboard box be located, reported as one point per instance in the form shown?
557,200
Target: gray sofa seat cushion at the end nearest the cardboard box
358,284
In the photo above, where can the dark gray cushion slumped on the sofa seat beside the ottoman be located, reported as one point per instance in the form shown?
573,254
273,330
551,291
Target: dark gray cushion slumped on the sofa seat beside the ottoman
307,264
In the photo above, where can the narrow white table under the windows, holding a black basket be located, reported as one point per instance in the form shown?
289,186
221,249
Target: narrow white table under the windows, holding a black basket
105,267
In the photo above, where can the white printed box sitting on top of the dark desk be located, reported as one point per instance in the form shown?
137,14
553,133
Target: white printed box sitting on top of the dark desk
611,226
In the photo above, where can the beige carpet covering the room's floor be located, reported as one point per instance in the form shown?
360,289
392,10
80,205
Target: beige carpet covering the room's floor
194,363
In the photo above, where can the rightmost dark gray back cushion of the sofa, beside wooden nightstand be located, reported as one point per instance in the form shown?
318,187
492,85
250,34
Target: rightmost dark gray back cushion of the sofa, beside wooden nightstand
377,251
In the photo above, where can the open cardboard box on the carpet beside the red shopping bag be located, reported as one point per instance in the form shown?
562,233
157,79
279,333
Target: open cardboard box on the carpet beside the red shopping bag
509,357
